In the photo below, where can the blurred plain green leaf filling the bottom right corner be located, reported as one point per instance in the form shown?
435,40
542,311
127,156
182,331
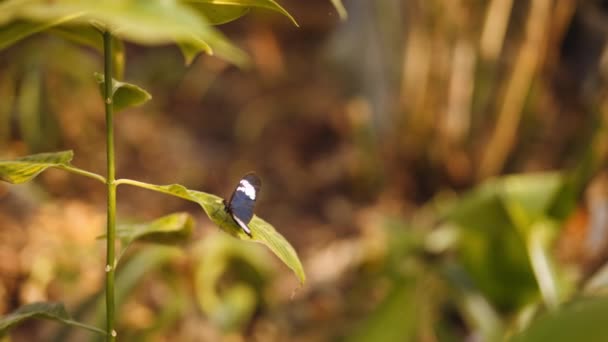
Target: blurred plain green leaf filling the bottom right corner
581,320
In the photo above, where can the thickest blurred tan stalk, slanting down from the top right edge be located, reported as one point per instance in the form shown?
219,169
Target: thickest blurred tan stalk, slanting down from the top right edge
518,87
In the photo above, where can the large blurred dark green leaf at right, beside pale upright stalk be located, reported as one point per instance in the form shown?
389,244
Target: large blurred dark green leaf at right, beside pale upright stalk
490,248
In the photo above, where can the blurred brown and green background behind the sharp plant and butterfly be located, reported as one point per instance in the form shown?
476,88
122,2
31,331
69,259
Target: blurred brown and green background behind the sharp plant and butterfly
382,142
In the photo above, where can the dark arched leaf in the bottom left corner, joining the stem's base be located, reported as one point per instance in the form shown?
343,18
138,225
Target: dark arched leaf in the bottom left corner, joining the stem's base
42,310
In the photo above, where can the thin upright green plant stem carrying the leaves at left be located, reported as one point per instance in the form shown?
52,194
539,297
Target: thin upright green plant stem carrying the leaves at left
110,178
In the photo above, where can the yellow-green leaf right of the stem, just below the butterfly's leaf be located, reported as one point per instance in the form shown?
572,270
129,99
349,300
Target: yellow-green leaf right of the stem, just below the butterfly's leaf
171,229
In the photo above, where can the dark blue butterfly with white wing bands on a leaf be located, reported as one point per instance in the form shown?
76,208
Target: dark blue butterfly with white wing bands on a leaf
242,201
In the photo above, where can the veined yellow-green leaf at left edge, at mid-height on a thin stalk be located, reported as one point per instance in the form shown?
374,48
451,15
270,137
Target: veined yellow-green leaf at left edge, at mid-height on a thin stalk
24,169
